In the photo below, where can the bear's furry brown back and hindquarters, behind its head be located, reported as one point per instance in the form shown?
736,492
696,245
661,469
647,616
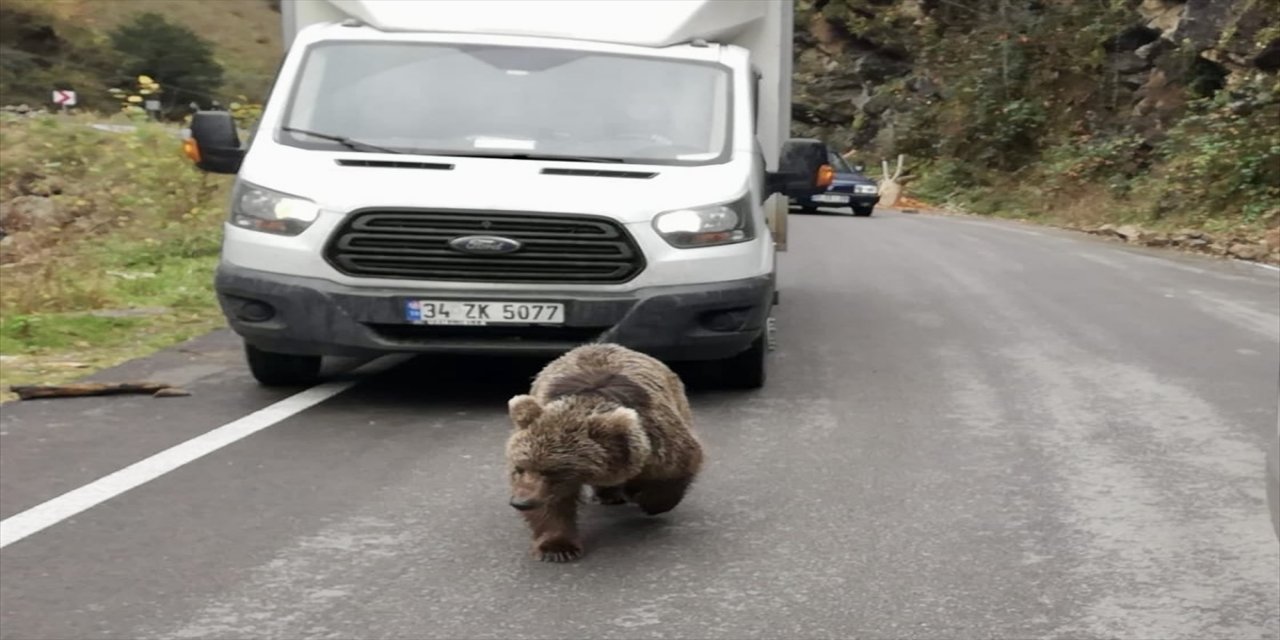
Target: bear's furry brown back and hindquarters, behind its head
621,377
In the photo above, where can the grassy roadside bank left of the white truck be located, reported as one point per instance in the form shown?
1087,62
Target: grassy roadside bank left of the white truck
124,268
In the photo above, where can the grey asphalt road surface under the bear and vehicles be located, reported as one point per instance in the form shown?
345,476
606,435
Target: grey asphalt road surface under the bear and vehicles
973,429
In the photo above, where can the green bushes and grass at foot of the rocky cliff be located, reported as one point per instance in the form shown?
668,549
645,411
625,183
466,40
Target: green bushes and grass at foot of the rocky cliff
1215,171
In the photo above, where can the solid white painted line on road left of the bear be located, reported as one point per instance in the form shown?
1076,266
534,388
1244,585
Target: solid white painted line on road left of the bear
71,504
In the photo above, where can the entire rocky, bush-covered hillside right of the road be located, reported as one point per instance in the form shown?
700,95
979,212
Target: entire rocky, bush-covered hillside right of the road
1158,113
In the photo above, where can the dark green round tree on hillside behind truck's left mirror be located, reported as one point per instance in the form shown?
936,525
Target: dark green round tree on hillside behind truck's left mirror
173,56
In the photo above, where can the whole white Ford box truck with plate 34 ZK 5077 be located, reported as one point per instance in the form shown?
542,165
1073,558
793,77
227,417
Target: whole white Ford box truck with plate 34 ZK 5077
513,179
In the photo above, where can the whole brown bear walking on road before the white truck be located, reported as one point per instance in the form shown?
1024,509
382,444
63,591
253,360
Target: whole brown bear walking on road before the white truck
601,417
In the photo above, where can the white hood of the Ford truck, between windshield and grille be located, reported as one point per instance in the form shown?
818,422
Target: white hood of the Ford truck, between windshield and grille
627,193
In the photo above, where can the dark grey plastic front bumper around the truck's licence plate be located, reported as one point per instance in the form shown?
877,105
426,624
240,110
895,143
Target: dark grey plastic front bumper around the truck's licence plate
298,316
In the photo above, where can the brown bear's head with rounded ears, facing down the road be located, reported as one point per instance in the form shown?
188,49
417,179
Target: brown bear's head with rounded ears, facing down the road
568,444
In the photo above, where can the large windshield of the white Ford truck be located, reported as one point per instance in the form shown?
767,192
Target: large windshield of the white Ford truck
510,102
